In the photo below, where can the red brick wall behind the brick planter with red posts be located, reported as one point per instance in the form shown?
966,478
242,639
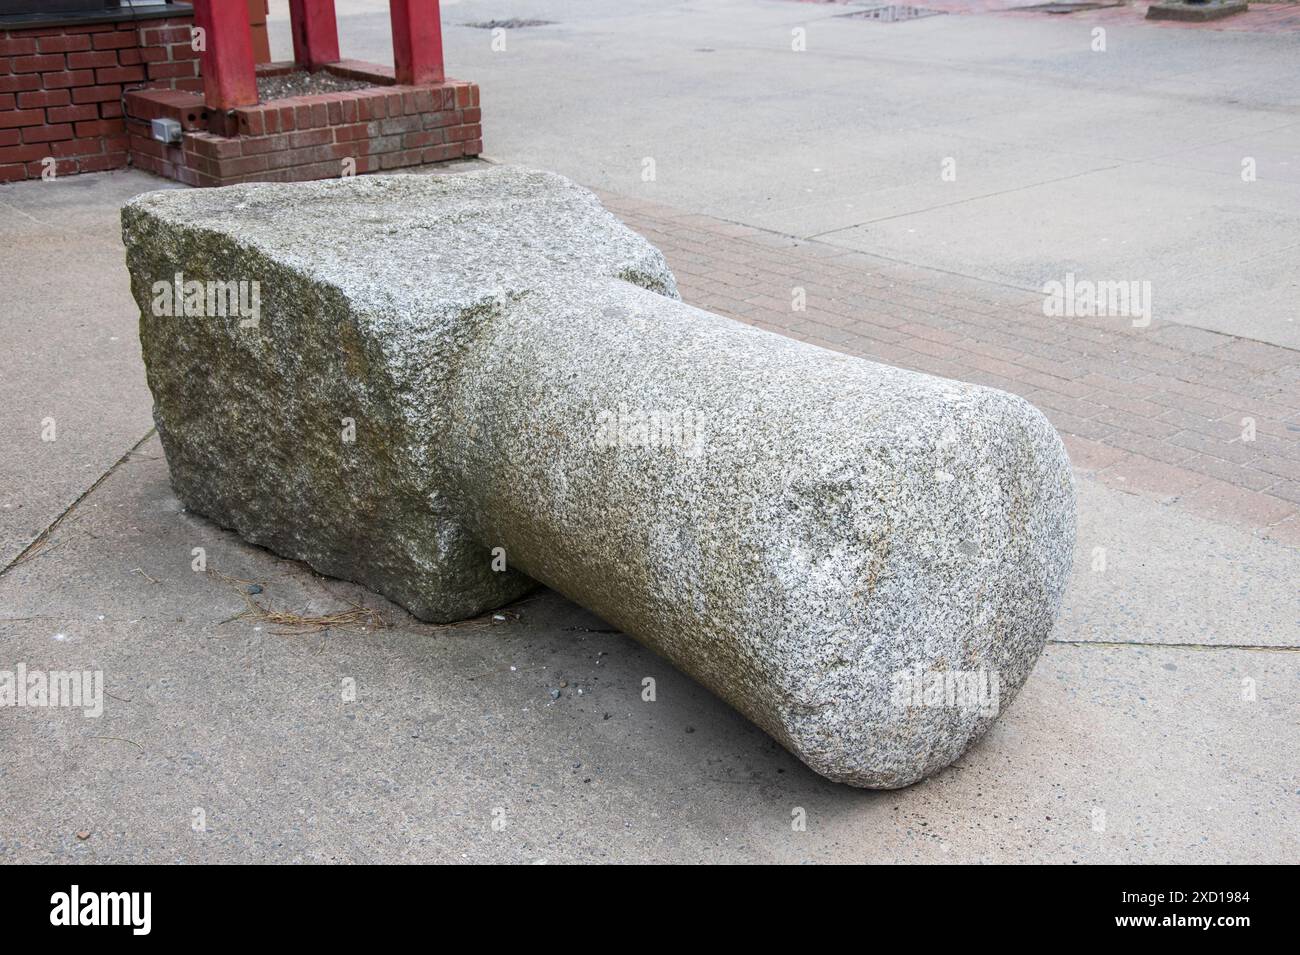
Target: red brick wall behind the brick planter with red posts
62,90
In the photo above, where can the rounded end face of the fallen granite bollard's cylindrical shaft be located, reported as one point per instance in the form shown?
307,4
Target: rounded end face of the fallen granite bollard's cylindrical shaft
921,587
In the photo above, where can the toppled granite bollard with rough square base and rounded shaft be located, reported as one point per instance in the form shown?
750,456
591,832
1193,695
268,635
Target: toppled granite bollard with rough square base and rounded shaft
821,526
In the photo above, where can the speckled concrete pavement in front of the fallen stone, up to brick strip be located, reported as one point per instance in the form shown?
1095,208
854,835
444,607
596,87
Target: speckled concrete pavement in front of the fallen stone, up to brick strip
1115,753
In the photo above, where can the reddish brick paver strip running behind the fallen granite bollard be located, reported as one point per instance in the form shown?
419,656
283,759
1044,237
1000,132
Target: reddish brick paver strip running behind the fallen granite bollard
1162,411
